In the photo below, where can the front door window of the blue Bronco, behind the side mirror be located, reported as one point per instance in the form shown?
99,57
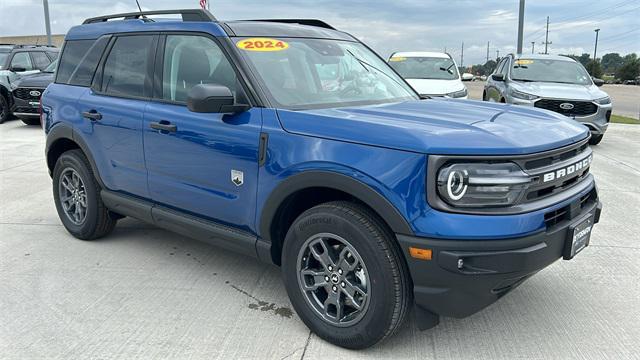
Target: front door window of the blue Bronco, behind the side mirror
192,60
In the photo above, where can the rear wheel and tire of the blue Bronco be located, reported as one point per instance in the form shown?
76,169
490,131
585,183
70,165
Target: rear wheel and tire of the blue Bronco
97,220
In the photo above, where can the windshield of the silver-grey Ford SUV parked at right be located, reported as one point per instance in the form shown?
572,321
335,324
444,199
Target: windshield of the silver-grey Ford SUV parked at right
557,71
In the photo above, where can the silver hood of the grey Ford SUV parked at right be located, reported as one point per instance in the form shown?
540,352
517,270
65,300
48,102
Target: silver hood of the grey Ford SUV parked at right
560,91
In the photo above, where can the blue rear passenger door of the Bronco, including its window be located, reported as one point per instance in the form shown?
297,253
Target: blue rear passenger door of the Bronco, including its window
113,111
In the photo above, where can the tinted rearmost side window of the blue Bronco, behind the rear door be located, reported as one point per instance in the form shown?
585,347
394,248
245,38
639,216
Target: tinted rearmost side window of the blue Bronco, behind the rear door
79,61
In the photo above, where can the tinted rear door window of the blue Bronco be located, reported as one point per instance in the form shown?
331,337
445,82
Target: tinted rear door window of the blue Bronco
125,70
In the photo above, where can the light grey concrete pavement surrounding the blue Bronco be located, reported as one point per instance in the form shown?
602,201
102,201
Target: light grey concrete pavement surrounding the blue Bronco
150,294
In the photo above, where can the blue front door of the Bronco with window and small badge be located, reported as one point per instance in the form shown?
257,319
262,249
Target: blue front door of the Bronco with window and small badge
205,164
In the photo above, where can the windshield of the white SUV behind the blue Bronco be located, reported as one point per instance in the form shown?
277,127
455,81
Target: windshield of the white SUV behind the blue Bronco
424,67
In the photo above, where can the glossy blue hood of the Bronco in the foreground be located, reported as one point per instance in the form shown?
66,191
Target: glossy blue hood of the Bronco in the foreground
440,126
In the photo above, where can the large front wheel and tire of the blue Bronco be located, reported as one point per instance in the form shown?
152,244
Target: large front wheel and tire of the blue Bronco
371,249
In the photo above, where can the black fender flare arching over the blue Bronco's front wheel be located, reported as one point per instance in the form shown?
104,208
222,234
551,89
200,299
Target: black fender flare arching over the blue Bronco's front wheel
336,181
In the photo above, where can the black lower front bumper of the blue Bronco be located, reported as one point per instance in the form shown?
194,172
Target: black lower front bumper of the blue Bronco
465,276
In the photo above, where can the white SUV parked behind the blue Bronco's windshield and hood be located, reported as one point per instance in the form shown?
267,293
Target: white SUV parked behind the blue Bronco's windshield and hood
430,73
